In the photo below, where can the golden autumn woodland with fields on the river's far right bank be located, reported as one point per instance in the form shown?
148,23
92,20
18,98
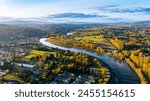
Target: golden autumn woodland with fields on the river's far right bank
129,46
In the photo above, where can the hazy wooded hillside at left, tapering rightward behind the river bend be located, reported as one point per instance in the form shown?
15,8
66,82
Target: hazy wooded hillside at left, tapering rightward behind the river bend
17,30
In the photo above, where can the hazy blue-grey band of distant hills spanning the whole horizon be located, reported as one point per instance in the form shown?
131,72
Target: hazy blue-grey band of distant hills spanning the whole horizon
25,29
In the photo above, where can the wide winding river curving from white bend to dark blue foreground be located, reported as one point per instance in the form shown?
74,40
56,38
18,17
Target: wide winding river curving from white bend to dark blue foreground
121,73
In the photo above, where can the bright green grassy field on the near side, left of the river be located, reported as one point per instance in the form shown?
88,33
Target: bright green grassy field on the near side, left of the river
35,53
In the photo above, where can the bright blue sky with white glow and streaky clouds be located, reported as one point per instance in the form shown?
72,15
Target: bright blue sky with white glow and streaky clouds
61,11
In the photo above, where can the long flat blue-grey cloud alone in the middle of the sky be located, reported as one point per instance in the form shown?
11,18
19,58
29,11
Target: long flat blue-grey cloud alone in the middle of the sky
75,15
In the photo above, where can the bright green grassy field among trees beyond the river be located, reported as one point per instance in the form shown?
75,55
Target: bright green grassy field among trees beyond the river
91,38
